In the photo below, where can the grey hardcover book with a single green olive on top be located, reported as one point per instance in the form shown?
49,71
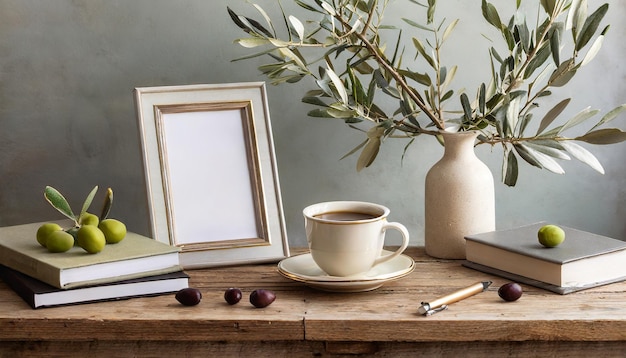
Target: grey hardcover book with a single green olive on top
582,261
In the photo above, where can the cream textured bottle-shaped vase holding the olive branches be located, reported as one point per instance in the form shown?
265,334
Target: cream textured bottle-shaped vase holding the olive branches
459,198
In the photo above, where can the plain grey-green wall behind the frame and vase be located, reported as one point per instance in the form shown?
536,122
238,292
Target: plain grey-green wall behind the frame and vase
67,117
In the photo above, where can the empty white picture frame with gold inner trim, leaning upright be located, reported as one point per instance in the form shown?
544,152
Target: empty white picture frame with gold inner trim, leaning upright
211,173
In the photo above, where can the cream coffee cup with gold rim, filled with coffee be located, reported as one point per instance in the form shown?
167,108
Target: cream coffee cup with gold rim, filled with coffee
348,245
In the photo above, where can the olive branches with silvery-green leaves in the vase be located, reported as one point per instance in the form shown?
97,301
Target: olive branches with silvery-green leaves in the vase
356,76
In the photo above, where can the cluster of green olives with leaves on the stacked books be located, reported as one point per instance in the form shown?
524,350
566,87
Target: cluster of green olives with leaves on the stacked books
89,231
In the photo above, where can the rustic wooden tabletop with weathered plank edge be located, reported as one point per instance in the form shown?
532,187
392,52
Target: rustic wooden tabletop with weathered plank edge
305,322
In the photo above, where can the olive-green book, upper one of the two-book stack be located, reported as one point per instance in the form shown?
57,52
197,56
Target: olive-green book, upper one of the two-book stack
134,257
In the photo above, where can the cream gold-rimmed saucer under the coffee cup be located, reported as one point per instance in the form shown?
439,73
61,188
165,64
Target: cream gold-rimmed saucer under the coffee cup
303,269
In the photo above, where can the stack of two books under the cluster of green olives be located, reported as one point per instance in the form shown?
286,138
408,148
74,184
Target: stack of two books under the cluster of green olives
135,267
